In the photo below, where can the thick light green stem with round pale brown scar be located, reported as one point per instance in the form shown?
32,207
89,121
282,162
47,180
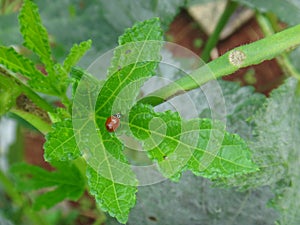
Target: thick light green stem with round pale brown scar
254,53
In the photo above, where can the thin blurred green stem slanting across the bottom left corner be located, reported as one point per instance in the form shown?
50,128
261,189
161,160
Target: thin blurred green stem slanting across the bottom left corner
19,200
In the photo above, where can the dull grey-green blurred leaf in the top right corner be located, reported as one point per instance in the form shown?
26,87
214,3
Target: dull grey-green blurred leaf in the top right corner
287,10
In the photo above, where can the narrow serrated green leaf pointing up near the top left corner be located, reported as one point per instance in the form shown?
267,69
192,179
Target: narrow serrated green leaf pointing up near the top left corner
35,34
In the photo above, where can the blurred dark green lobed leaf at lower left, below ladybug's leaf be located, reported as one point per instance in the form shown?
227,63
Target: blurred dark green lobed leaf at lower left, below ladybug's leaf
66,181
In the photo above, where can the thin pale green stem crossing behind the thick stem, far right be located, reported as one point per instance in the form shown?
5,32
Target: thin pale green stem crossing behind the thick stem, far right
283,59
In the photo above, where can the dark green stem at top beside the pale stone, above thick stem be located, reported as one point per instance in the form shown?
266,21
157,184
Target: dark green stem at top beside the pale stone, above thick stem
213,39
